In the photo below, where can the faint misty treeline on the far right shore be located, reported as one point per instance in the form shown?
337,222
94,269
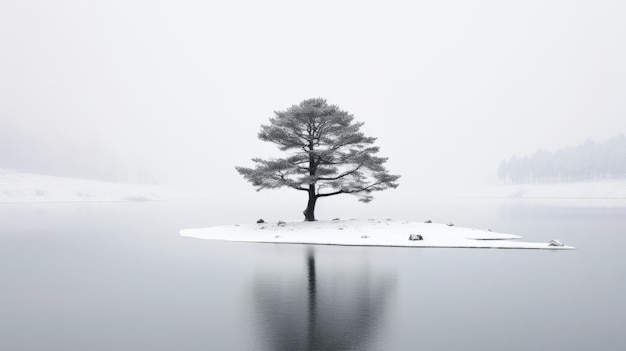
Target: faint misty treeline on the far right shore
584,162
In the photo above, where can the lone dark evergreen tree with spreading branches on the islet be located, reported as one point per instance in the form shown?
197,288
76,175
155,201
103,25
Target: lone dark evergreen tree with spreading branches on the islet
327,155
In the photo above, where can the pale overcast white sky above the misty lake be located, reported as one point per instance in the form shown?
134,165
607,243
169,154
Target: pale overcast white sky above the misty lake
175,91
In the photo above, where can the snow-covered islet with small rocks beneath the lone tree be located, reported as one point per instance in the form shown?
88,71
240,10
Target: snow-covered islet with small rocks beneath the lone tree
366,233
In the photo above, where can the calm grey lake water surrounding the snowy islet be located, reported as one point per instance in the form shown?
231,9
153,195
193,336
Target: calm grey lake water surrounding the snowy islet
118,277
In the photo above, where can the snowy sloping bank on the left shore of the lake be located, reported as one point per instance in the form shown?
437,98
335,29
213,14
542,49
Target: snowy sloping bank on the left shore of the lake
17,187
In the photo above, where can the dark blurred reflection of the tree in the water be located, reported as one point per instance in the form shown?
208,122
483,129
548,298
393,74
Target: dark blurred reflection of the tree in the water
331,302
